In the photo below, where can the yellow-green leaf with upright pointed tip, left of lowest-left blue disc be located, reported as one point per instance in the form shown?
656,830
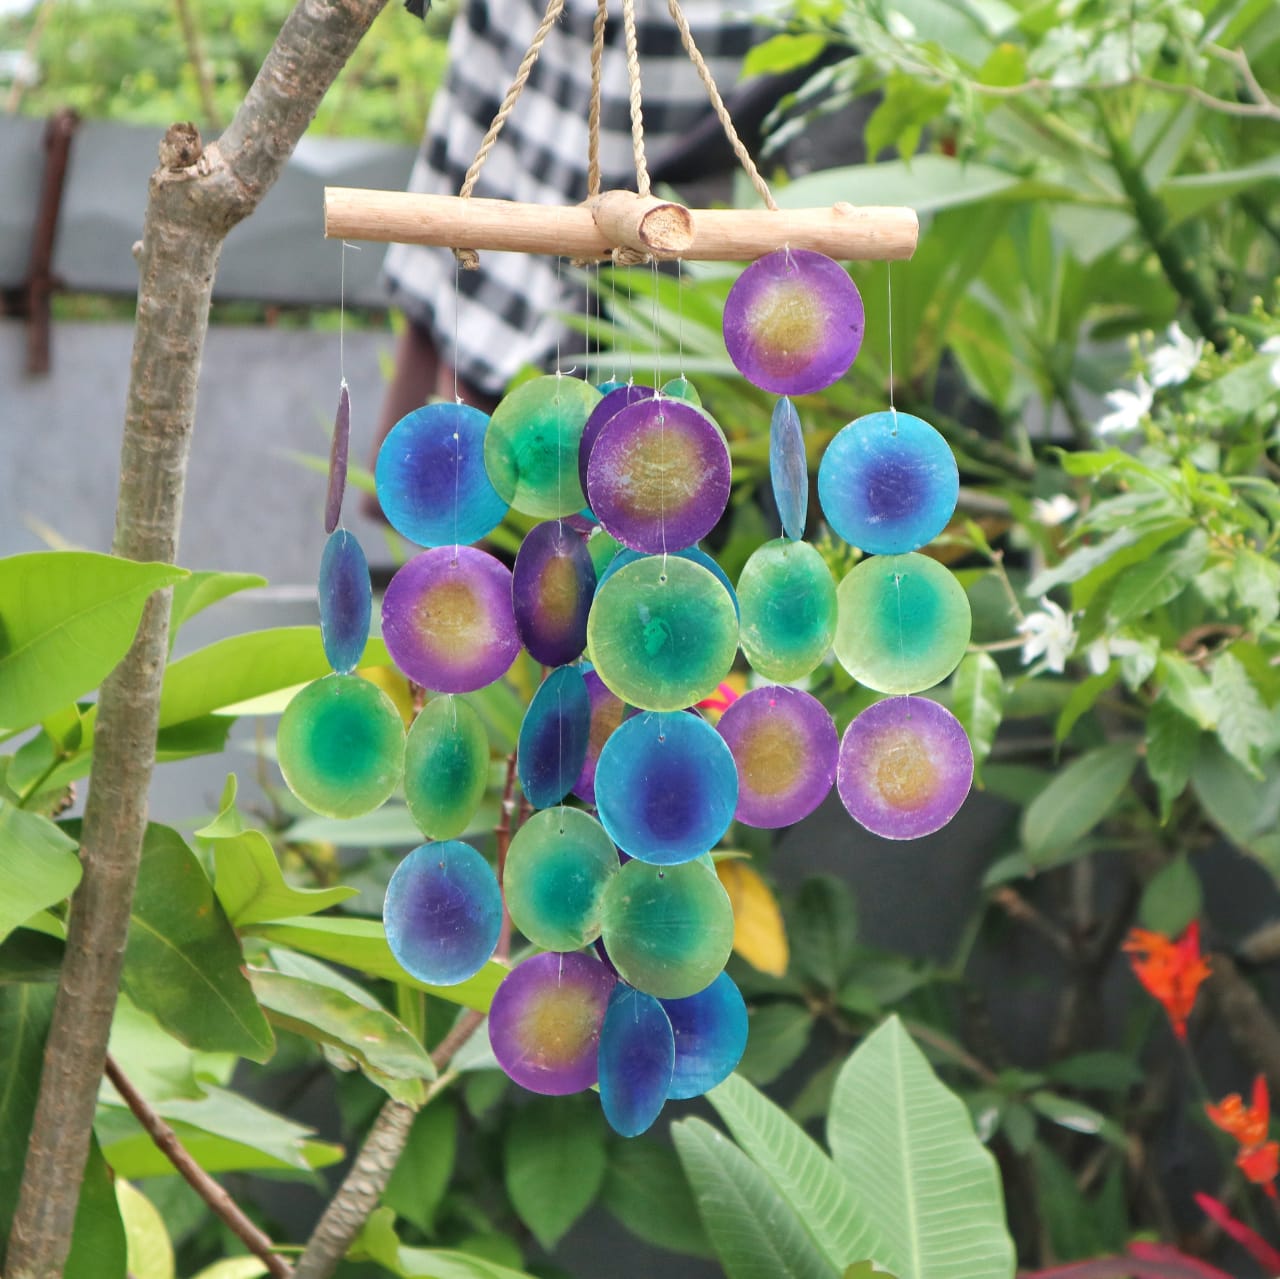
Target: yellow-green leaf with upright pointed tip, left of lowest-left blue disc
248,876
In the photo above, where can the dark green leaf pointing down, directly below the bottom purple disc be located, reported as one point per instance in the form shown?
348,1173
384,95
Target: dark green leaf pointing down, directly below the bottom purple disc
554,1161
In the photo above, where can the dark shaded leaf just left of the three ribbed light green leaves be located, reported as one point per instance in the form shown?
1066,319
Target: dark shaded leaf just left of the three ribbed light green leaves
647,1191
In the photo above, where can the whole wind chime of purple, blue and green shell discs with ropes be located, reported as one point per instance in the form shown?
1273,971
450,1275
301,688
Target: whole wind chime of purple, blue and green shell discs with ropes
619,892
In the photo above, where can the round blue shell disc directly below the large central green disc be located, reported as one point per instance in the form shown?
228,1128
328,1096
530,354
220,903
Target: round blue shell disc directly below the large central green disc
666,788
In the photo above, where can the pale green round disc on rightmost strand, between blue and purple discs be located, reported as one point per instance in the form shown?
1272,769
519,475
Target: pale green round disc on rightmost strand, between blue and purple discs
904,623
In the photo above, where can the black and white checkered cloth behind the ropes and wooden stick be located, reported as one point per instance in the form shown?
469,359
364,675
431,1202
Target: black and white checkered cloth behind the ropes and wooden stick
504,317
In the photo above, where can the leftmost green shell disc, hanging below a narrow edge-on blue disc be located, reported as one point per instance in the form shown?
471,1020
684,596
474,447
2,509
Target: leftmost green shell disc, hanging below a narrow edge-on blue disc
341,746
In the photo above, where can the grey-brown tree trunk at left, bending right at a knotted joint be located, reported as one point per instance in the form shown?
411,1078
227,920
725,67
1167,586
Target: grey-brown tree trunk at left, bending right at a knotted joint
196,198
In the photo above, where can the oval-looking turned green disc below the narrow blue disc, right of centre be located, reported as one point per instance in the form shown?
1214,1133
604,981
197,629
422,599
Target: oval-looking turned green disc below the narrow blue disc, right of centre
789,609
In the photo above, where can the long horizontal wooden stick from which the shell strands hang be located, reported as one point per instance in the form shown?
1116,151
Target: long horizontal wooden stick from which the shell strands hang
844,232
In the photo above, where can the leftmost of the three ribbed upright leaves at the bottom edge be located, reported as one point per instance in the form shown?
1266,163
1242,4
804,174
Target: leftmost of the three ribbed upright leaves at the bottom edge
757,1235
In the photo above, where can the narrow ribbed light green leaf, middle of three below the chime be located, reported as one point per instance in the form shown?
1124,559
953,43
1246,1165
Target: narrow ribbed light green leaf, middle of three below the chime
801,1172
